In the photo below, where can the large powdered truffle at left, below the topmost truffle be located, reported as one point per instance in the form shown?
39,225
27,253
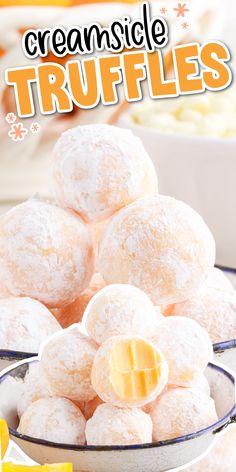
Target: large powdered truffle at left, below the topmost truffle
46,253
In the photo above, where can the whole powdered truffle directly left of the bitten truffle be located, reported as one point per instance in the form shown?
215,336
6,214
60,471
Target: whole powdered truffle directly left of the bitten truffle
66,362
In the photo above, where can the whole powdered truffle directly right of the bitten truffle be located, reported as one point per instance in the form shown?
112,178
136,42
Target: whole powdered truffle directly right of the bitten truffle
186,347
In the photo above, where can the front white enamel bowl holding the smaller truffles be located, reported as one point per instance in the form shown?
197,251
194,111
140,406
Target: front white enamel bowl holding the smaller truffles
154,457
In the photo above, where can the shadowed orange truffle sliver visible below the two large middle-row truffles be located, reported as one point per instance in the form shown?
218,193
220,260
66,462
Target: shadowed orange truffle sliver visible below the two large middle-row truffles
73,313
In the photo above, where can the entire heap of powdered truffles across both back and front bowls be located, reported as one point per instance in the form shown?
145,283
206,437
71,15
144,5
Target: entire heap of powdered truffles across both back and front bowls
114,255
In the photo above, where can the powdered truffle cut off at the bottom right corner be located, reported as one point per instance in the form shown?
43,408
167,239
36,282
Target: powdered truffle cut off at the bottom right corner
222,457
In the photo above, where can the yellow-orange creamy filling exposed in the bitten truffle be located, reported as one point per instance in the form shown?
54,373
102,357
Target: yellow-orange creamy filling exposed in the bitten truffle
135,369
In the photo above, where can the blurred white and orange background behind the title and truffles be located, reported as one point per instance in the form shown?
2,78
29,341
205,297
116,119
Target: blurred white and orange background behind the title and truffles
204,177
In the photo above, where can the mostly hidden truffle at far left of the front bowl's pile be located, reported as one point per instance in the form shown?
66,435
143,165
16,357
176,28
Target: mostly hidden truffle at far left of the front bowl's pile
35,387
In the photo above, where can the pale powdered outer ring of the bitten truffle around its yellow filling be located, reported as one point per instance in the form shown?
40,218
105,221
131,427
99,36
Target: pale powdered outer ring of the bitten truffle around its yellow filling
101,374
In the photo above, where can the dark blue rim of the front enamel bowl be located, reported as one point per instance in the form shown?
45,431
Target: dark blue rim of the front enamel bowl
71,447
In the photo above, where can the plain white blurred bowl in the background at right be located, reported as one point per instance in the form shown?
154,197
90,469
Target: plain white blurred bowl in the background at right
201,172
